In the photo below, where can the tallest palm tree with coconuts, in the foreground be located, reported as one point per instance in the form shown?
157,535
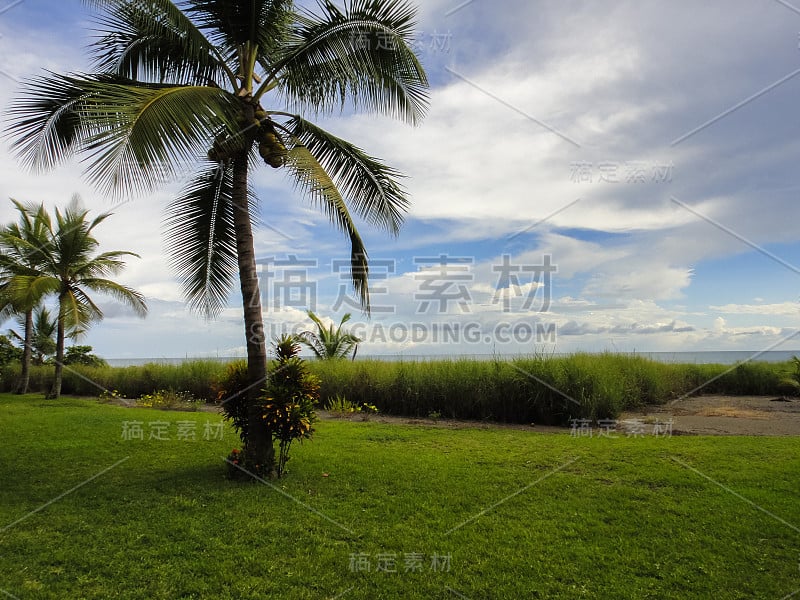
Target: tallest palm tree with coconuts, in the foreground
224,83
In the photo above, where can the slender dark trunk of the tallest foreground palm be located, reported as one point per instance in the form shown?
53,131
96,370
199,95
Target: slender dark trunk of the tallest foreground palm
259,442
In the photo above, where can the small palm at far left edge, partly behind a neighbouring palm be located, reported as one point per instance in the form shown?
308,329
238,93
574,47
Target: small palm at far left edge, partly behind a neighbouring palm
23,246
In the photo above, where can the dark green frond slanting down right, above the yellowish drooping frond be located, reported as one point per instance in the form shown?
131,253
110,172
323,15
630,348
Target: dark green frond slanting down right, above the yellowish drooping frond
370,186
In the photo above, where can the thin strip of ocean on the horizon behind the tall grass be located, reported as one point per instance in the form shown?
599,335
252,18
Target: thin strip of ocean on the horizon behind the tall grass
728,357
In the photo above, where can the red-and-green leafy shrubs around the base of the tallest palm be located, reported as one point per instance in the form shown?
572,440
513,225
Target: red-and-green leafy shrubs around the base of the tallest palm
287,408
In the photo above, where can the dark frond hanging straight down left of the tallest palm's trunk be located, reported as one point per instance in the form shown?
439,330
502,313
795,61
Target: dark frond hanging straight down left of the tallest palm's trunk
201,239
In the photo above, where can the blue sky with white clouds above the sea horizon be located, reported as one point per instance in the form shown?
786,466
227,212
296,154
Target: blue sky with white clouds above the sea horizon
615,176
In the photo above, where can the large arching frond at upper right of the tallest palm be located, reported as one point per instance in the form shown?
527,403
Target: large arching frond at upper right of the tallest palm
362,54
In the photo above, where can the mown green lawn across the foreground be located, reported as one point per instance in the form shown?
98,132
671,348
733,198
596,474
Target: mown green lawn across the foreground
405,512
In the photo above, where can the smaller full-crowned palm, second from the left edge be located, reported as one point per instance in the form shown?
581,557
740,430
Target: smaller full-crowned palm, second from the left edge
69,271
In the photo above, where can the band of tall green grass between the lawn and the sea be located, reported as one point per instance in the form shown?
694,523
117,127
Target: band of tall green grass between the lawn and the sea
544,390
